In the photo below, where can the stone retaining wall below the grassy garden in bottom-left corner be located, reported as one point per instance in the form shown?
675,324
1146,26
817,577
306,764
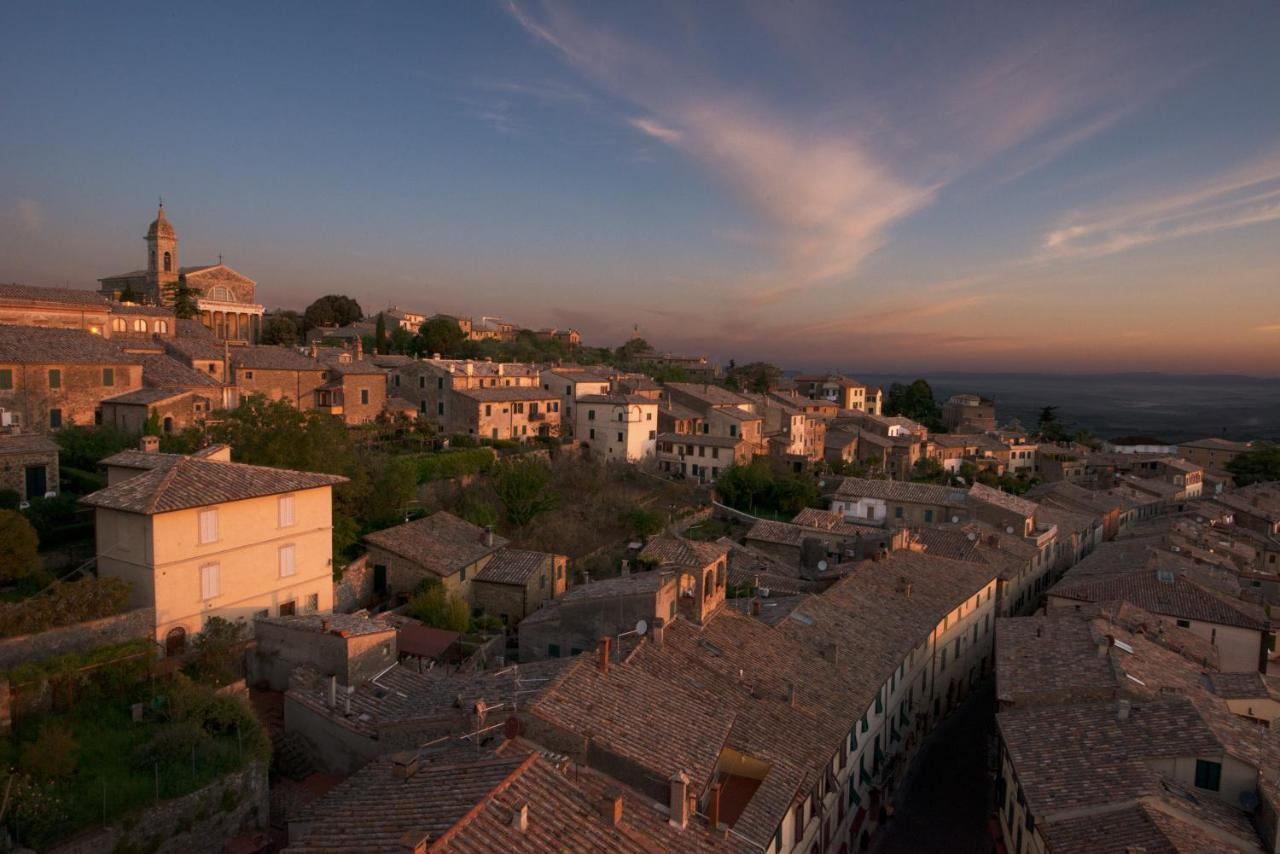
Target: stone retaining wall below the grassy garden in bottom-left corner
196,824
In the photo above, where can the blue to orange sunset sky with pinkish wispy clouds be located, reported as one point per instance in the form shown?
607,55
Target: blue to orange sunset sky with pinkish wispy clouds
876,188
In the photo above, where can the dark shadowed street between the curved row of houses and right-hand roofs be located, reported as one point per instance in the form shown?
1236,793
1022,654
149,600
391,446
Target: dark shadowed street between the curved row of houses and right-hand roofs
947,798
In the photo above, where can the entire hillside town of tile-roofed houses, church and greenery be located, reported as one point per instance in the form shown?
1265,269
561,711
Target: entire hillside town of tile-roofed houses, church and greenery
330,581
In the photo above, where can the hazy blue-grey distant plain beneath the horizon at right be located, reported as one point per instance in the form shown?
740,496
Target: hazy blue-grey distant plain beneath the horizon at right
1169,407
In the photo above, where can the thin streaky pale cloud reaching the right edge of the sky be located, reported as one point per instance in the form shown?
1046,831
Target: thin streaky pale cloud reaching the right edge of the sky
1245,197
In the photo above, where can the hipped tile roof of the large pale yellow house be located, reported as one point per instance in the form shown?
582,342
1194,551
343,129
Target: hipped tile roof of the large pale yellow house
193,482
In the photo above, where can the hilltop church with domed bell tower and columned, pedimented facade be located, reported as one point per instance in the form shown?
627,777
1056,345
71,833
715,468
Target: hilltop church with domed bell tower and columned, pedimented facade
227,300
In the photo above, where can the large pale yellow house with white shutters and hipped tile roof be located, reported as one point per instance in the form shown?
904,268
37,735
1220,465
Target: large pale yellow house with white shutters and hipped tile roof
202,538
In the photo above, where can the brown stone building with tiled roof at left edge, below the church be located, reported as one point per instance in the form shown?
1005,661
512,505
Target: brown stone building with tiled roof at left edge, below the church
52,378
